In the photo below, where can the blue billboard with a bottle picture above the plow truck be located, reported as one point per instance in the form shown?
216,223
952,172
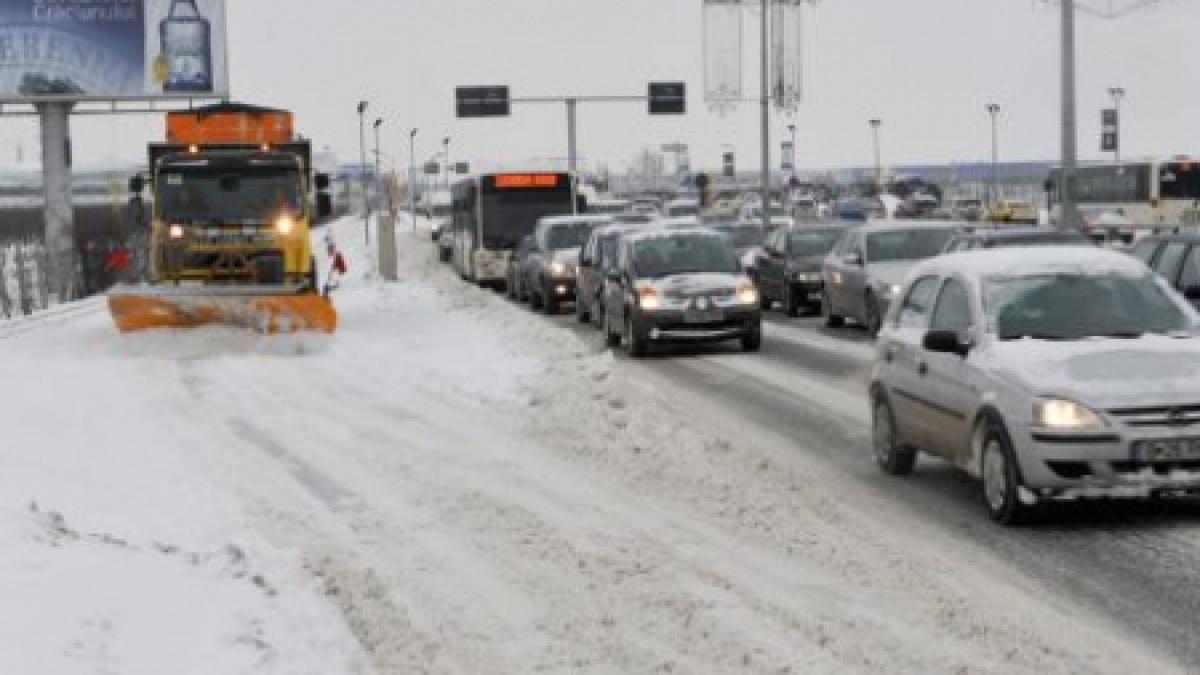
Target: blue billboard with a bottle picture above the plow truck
112,50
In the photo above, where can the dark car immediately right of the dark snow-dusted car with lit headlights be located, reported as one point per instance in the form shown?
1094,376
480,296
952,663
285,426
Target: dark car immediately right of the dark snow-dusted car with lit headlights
790,268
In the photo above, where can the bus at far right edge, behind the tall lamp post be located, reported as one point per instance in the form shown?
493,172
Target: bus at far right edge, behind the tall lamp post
1148,193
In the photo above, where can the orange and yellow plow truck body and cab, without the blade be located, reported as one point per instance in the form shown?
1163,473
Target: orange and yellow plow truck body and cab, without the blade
235,200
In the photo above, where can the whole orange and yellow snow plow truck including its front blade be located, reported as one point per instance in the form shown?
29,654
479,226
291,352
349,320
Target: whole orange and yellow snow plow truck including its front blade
235,198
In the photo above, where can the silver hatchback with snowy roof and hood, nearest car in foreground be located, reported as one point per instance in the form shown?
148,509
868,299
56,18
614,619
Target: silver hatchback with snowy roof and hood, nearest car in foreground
1063,373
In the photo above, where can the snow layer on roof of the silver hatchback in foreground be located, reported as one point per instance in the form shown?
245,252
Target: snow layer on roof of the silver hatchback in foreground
1031,261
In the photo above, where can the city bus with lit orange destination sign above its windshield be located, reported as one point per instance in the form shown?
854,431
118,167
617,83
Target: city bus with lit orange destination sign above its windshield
493,213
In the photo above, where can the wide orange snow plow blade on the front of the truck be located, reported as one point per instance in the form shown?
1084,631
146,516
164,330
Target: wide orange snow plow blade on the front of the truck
267,310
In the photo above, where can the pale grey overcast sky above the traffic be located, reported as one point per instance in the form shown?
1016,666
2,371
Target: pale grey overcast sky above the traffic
926,68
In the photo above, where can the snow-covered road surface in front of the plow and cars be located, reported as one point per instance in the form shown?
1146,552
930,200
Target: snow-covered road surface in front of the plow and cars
452,485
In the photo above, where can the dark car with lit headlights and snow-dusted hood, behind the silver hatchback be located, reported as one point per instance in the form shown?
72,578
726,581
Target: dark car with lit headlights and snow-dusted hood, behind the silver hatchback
680,286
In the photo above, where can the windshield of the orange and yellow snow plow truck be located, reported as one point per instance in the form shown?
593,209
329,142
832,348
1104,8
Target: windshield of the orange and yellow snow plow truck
209,196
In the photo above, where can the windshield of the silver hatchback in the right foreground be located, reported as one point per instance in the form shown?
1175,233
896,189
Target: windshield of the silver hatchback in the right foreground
1077,306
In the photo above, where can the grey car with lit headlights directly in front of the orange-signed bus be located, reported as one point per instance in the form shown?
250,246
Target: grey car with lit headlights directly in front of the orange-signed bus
550,266
